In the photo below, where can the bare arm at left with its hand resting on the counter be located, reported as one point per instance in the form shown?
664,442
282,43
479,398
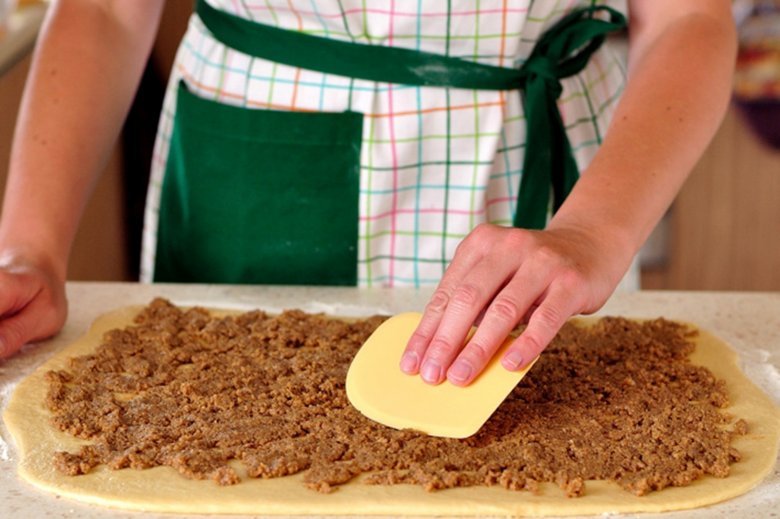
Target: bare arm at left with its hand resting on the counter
86,68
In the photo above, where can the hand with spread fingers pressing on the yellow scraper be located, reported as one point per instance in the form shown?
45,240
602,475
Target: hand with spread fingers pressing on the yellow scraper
501,277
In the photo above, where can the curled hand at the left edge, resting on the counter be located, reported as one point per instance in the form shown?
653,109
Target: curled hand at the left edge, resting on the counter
32,303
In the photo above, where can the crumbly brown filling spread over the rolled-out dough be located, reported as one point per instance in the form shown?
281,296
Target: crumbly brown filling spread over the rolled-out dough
616,401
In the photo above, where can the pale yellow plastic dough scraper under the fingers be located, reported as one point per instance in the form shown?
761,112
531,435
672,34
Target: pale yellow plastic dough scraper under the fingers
378,388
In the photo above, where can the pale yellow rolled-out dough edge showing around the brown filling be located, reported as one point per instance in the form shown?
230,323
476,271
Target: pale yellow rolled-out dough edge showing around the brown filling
163,490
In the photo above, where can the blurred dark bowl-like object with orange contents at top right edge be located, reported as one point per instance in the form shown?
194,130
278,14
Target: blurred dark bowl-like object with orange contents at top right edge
757,76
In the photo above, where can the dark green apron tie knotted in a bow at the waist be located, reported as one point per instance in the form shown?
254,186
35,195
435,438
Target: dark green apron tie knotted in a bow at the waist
562,51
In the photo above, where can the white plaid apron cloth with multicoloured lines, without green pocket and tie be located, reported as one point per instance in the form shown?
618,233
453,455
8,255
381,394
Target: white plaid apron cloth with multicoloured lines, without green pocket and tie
435,162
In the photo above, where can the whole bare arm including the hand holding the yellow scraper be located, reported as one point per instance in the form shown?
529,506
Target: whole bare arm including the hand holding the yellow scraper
681,59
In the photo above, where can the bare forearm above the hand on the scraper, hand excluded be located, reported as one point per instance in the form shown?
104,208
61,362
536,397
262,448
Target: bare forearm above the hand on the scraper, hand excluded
677,92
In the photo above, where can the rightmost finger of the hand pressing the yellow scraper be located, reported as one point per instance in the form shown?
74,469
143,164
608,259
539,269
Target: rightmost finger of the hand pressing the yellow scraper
544,323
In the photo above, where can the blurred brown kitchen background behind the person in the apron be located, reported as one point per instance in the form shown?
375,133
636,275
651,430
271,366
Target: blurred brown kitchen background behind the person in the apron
721,233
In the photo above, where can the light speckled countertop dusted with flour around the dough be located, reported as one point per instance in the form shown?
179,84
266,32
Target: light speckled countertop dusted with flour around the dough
749,322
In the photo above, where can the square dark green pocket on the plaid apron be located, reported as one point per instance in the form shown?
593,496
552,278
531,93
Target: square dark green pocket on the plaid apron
259,196
